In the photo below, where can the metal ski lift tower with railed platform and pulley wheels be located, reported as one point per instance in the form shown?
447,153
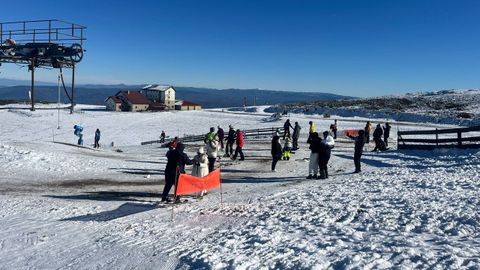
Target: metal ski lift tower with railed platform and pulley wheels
43,44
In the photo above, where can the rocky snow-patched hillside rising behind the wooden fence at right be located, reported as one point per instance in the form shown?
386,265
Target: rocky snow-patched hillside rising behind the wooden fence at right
457,107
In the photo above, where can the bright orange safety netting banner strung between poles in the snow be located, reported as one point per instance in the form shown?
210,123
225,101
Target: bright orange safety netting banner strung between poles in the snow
190,184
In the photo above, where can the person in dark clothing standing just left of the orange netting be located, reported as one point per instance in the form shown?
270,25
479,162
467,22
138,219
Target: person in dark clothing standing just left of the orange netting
176,160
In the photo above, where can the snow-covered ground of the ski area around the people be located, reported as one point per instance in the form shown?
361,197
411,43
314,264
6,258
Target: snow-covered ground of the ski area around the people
65,207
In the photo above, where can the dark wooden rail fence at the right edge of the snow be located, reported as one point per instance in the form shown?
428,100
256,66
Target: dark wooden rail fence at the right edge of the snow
454,137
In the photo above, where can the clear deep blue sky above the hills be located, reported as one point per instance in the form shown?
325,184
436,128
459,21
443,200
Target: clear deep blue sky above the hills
357,48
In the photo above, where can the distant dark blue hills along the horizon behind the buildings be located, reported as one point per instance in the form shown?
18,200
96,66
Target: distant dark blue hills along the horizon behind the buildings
207,97
